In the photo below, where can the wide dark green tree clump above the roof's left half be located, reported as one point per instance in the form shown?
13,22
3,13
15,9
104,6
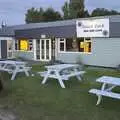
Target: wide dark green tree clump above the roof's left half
39,15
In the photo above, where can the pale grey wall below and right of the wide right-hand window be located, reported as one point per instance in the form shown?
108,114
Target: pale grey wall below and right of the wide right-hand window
105,52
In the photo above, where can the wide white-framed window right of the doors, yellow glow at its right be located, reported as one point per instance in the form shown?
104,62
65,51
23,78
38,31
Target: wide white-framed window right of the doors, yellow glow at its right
75,45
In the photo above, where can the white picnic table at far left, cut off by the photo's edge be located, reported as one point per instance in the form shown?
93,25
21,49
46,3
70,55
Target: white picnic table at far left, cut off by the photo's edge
14,67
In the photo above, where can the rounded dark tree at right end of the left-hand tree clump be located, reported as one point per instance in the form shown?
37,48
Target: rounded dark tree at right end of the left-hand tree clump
51,15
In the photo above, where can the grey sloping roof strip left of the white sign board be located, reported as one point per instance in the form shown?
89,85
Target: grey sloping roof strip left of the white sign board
10,30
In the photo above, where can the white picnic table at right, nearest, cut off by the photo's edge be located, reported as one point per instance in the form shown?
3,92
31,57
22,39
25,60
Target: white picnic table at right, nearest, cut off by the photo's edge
108,84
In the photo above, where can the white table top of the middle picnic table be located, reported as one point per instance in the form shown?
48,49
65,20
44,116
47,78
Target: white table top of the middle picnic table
61,66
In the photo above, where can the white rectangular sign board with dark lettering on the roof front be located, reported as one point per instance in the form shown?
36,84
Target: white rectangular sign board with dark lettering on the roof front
93,28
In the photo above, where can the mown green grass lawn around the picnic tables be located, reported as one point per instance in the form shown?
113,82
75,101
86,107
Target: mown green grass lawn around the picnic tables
33,101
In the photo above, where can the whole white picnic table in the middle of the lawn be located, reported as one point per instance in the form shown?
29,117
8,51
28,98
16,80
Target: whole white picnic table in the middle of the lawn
62,72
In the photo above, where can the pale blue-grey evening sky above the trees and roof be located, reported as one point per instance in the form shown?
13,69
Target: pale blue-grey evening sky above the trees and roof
13,11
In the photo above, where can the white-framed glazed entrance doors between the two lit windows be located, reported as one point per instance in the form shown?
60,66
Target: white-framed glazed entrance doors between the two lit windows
45,49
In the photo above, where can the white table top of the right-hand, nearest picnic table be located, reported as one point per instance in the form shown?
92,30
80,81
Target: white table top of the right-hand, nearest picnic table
109,80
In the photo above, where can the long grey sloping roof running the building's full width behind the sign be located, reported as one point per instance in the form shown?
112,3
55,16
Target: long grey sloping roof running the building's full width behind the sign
10,30
